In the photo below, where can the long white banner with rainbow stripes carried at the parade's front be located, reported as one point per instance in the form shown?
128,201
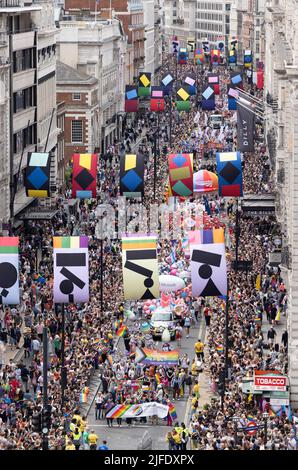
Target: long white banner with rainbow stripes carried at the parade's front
138,411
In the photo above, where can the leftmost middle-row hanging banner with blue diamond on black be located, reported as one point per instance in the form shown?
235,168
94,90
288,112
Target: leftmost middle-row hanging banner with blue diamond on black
37,182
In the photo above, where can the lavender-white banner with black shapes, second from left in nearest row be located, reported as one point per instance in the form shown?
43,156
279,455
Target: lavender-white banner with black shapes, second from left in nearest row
71,270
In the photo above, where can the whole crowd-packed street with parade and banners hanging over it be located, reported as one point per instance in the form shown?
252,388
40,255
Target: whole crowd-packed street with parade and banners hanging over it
94,357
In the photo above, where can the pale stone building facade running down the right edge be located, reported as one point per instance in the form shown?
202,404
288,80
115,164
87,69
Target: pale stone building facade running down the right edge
281,84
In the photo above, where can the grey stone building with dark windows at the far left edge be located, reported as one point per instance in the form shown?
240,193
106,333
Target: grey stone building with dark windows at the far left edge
27,94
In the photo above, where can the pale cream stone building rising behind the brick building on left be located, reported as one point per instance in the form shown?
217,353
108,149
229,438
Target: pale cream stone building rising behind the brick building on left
98,49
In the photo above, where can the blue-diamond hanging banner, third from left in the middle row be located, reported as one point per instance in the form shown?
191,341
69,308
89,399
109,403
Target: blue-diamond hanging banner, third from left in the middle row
132,175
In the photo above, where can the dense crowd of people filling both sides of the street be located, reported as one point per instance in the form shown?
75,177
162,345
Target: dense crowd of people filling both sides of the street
91,342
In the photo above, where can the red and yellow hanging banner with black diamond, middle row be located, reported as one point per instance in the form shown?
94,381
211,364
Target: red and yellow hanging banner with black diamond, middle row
84,175
